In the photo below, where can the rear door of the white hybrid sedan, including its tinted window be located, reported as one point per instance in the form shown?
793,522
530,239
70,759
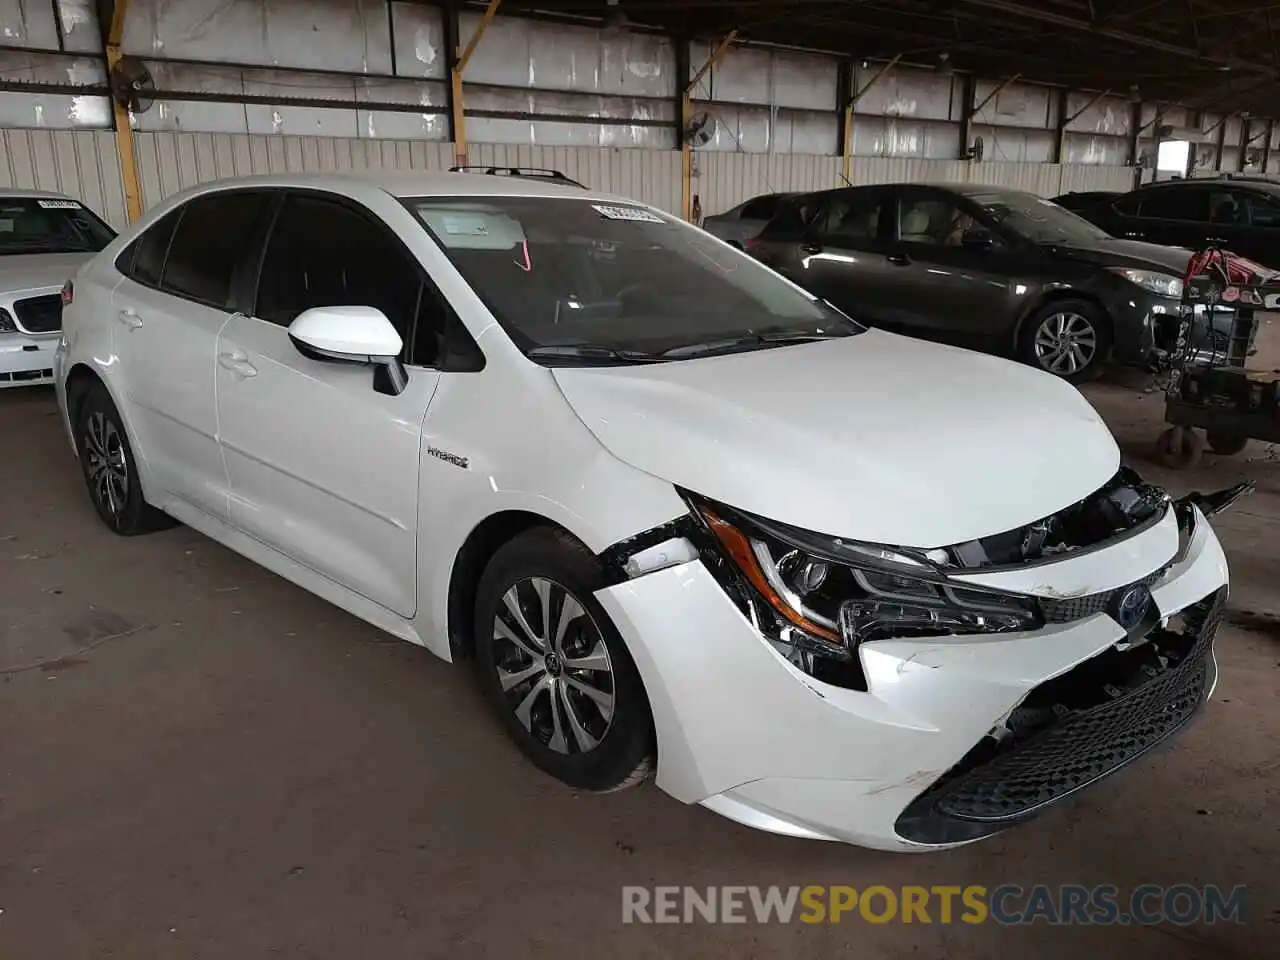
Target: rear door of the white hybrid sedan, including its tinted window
170,310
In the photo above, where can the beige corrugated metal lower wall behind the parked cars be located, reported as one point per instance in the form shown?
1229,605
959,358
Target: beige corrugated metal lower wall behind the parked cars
84,164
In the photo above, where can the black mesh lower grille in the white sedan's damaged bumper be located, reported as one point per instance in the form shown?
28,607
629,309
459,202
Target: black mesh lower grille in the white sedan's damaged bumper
981,798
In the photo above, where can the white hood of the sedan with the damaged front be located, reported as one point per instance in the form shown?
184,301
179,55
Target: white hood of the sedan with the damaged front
875,437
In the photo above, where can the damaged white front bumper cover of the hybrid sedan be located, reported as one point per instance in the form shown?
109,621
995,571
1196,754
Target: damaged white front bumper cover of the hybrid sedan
748,735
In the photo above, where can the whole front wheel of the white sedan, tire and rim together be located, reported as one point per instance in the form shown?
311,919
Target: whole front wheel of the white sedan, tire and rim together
556,670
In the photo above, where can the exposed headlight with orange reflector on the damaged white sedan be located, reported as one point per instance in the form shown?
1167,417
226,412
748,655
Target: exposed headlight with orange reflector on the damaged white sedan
819,598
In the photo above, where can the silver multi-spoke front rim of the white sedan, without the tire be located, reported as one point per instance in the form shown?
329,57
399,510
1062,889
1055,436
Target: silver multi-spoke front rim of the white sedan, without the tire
554,666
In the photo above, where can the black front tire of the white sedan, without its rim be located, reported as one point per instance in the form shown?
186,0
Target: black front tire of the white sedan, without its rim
629,740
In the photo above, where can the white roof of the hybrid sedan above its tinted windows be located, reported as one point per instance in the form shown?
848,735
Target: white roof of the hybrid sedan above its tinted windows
419,184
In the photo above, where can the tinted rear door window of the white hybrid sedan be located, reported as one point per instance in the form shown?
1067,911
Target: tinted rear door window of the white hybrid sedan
207,248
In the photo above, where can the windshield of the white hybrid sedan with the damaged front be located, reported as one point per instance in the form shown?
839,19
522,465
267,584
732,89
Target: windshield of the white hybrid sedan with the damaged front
579,281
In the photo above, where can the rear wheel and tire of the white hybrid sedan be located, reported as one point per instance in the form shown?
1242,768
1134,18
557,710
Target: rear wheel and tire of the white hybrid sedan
111,470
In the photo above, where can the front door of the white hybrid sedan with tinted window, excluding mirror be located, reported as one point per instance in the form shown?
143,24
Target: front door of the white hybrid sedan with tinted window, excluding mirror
323,468
